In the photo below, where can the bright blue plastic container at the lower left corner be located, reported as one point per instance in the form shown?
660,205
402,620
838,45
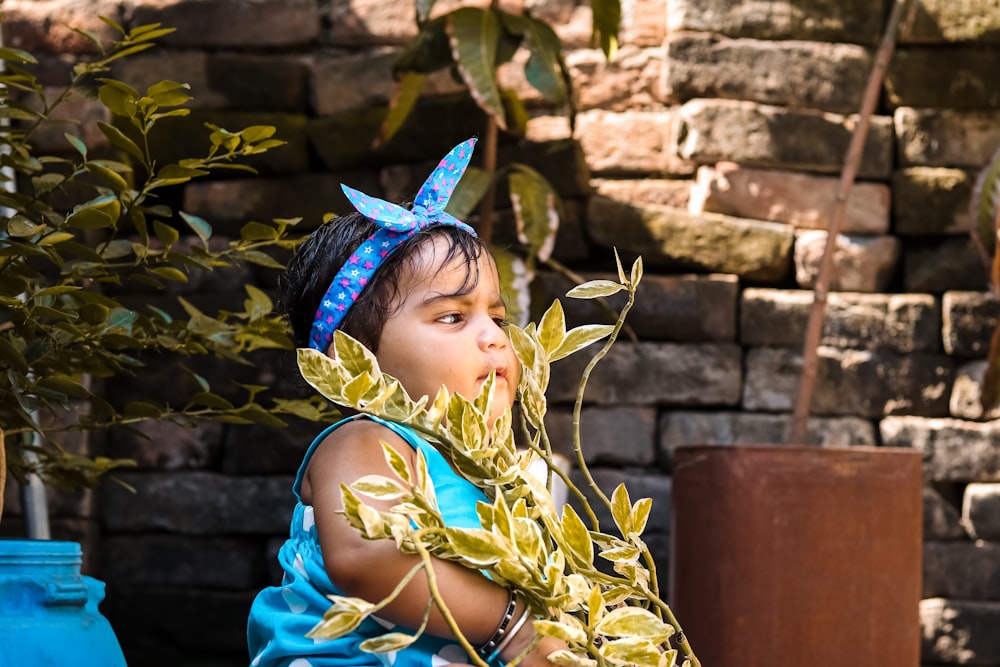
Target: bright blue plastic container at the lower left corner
48,610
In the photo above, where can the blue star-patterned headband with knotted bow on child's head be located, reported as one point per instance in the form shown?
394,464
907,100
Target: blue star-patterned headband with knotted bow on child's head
395,225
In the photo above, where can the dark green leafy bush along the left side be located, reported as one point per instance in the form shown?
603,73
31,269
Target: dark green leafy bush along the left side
78,231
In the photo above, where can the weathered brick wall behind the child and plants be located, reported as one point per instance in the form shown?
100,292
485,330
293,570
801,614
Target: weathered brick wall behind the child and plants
712,146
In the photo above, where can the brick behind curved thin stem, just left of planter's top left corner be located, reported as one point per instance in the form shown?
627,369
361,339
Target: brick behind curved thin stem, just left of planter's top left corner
613,436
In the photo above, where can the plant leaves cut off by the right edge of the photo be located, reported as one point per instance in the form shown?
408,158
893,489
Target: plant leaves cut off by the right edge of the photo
984,214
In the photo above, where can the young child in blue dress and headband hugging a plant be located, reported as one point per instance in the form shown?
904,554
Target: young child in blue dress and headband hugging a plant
421,291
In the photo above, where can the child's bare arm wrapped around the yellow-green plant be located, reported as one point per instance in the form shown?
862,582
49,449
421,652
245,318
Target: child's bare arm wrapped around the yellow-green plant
371,569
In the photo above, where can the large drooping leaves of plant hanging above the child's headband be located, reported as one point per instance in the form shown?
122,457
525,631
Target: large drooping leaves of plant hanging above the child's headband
473,43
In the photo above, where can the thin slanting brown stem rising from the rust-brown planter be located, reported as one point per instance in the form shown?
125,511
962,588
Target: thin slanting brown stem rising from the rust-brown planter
814,329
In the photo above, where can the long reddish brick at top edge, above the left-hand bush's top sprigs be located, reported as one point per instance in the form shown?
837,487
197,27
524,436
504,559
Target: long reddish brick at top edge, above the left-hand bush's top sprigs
231,23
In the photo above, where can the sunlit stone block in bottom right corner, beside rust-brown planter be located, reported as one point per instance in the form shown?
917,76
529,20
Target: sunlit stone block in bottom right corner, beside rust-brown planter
959,632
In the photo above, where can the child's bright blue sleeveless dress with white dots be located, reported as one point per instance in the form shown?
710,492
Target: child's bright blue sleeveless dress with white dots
282,615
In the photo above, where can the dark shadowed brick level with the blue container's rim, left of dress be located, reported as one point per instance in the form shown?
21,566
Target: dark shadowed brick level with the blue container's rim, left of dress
170,560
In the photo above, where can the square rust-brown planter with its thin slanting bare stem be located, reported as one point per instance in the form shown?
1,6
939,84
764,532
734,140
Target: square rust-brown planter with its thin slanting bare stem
774,545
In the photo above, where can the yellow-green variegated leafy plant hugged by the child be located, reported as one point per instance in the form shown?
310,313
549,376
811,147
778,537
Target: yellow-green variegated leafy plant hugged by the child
606,618
